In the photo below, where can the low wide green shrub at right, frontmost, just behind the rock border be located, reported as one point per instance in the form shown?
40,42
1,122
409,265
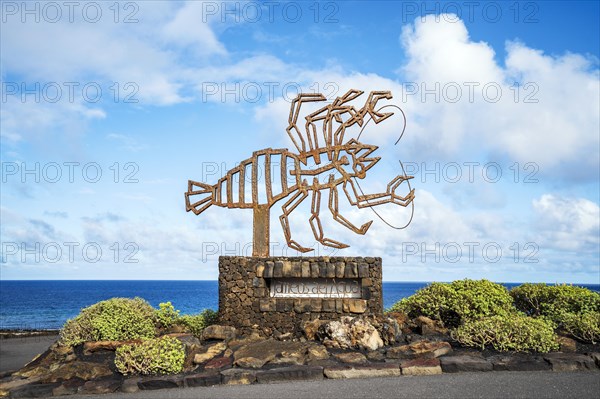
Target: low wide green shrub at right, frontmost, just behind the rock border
516,332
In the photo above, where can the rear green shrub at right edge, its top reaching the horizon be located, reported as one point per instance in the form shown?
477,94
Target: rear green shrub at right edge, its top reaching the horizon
554,300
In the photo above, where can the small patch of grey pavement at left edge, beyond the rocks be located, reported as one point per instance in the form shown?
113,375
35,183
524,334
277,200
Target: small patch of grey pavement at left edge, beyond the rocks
17,352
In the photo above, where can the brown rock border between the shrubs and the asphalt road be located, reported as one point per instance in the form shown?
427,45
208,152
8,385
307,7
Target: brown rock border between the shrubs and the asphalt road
258,360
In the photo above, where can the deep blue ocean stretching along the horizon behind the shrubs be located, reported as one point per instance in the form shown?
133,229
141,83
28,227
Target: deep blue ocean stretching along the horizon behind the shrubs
48,304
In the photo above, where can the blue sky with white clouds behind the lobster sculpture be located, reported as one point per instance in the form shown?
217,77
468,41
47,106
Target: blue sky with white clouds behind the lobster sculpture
108,111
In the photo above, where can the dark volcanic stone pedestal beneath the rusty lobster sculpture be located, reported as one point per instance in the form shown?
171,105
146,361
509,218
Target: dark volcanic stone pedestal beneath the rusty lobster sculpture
280,293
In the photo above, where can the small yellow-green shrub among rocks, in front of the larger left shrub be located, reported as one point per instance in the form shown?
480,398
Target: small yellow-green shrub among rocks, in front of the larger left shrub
164,355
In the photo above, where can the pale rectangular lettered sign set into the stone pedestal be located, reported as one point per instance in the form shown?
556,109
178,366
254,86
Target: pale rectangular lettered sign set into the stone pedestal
315,288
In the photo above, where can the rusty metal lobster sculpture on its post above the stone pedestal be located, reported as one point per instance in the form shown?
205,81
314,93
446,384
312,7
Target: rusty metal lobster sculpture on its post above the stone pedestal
340,162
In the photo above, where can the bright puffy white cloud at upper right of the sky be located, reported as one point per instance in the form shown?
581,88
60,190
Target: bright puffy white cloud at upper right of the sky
558,131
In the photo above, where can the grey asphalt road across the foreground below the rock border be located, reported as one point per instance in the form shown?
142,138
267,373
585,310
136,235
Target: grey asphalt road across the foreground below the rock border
497,384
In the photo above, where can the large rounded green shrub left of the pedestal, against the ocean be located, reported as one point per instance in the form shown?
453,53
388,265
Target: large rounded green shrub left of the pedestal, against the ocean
115,319
